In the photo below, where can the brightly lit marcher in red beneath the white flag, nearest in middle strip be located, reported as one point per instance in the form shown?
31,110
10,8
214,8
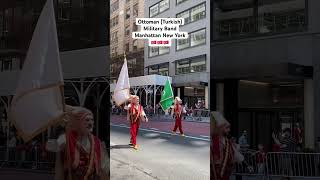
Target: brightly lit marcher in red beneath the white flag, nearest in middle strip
135,115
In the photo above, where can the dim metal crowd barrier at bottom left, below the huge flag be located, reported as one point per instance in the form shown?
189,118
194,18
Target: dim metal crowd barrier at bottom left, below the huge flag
27,157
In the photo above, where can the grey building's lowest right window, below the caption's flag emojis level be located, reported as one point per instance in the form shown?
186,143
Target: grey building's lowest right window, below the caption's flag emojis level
191,65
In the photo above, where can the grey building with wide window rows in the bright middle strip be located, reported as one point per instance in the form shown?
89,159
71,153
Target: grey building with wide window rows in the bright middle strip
186,61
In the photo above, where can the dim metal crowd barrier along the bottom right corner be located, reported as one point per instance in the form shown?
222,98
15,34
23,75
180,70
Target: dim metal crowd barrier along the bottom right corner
280,164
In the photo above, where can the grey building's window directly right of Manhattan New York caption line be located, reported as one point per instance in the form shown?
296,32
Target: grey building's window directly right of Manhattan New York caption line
195,39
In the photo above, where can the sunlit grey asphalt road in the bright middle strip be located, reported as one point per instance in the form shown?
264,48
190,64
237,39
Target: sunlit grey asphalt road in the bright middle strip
160,156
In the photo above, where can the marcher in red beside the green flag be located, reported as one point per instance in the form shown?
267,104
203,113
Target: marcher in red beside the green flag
178,112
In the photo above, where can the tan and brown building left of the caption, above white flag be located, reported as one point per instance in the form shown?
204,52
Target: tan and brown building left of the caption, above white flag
122,23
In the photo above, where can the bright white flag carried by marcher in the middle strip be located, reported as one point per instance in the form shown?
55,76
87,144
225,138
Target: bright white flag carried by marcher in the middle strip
122,89
